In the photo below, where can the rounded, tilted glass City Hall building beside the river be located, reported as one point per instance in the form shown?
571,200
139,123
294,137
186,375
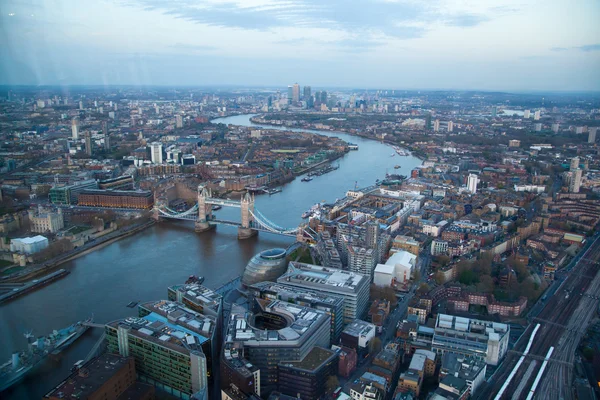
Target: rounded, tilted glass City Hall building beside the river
268,265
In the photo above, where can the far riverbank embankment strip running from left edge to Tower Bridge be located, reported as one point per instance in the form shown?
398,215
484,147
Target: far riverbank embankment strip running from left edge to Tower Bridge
33,271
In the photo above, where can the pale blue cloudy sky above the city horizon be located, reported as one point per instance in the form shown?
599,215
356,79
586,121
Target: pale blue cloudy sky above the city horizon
514,45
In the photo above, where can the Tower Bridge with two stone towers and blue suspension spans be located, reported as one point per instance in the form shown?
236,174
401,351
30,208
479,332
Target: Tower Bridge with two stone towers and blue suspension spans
251,220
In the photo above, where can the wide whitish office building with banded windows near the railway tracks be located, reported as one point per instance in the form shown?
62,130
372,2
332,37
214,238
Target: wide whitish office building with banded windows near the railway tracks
484,340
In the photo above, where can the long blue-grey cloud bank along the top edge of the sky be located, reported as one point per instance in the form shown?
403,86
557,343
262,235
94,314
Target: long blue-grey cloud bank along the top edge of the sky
395,19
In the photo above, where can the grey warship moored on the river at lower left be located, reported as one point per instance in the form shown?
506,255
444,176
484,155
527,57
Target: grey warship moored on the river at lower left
25,361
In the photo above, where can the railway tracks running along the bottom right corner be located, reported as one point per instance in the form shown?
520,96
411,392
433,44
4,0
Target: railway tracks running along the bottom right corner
562,321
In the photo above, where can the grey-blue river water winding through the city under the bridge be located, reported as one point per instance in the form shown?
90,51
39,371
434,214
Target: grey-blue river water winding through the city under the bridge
142,266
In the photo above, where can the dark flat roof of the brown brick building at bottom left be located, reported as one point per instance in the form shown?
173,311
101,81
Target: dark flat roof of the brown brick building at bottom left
95,374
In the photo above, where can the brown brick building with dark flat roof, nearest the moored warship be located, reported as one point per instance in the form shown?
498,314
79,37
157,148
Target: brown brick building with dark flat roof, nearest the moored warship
105,377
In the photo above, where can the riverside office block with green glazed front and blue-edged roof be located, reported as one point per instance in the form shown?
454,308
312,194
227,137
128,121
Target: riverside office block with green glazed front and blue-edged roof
167,343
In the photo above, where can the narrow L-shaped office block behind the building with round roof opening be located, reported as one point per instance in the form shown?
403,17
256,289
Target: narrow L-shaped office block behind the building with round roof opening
333,305
